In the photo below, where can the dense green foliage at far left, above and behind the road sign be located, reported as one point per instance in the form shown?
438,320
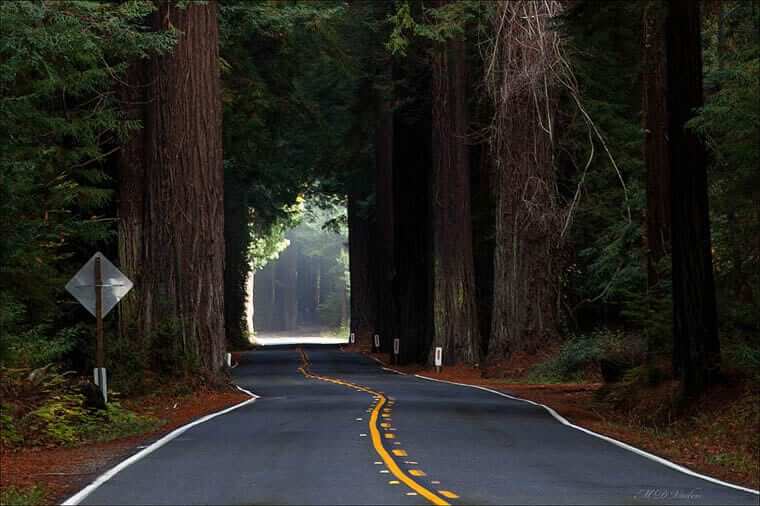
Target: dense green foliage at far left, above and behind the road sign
59,63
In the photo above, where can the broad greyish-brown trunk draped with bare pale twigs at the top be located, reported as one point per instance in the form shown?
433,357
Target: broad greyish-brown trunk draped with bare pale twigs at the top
524,91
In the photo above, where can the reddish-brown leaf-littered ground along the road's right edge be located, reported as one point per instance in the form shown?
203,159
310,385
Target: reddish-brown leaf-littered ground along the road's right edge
716,435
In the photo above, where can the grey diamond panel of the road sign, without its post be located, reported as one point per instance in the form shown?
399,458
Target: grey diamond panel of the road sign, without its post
114,283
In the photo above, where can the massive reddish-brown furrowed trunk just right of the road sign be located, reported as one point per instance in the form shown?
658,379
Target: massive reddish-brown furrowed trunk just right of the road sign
184,225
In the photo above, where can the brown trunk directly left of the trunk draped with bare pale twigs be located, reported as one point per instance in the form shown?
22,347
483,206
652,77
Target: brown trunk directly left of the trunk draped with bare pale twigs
455,323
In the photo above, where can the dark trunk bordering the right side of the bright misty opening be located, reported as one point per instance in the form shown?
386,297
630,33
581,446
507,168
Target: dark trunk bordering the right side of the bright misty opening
363,310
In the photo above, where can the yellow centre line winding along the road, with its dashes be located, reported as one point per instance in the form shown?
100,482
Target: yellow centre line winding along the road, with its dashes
376,440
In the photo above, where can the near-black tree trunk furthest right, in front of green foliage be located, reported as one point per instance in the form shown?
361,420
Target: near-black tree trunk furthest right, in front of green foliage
696,347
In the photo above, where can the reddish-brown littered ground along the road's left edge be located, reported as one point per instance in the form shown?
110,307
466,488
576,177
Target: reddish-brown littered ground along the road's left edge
48,475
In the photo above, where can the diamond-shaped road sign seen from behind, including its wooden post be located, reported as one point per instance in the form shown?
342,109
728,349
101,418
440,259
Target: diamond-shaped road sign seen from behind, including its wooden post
99,286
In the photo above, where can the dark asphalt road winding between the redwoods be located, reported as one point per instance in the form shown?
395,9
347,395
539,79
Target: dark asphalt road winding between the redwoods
315,437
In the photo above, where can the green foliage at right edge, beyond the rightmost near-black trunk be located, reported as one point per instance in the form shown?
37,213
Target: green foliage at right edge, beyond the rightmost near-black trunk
730,124
